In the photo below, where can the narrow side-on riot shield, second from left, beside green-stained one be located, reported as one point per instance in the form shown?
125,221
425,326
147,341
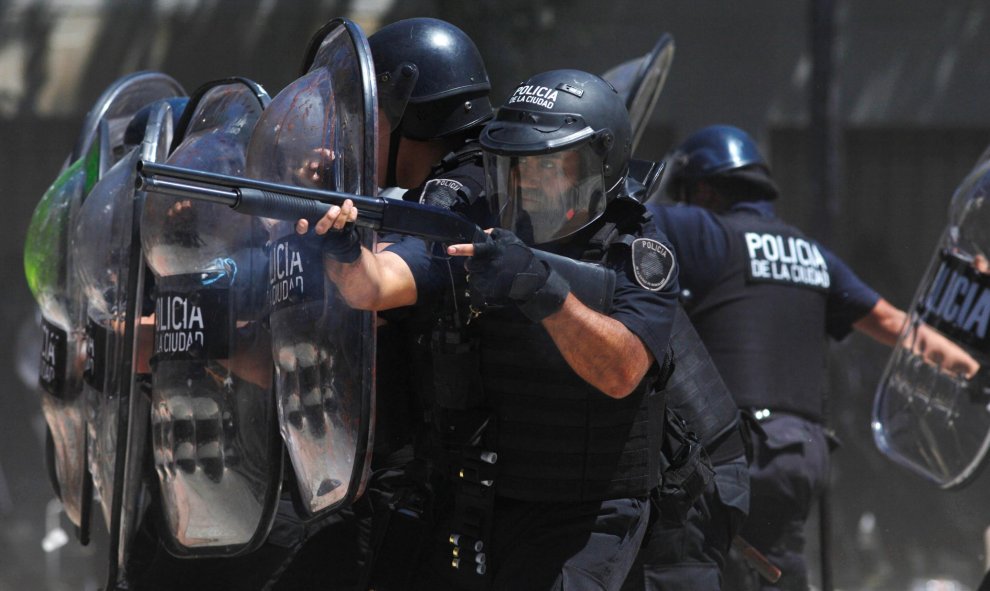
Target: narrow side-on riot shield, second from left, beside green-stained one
109,270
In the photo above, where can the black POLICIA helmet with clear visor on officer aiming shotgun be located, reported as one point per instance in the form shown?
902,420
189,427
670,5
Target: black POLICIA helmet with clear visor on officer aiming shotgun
556,154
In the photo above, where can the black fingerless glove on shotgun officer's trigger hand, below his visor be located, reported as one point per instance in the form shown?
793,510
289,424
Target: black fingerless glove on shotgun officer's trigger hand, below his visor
508,271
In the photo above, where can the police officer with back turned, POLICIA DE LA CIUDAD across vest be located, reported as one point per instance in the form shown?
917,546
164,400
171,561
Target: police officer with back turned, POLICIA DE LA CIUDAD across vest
762,295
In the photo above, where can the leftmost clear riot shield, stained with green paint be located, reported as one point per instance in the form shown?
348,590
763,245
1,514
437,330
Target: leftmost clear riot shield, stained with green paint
48,260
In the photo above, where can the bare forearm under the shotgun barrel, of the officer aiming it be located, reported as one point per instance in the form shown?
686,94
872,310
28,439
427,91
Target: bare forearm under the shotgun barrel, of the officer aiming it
375,281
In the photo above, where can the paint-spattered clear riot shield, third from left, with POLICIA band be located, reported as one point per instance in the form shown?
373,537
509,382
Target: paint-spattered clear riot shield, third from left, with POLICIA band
215,438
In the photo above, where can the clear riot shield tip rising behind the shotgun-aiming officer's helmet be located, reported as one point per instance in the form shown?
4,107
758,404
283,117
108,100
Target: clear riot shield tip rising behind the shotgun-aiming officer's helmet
640,81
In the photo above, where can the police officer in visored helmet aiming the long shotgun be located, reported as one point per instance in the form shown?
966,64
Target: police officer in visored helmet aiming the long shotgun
572,389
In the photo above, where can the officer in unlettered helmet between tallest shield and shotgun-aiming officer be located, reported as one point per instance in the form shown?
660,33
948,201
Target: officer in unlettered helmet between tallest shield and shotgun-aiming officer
433,96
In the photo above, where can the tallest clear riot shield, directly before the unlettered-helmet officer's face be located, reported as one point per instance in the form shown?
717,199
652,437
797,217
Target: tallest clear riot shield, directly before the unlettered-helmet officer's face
320,132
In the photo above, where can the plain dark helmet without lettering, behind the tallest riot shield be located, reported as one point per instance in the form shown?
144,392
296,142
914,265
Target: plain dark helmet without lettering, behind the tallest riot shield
432,82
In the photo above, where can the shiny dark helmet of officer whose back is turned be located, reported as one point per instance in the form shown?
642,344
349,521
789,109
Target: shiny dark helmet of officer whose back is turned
724,156
